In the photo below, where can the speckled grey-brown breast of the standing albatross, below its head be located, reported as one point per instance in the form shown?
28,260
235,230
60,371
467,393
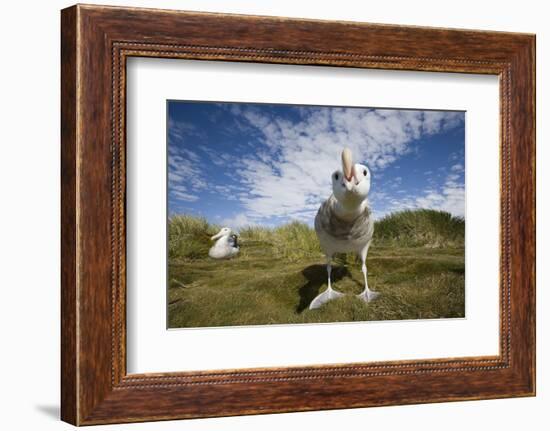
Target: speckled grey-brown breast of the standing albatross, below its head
361,228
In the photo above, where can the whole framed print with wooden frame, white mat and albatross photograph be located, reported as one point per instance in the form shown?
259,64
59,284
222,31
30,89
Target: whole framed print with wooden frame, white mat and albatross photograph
264,214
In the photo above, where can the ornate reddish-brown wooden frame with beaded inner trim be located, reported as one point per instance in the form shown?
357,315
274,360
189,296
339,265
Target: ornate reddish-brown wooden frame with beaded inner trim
95,43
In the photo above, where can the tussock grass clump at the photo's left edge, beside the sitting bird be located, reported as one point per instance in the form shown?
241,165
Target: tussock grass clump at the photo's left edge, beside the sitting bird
189,237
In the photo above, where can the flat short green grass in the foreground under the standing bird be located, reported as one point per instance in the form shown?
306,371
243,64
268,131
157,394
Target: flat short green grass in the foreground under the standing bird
259,289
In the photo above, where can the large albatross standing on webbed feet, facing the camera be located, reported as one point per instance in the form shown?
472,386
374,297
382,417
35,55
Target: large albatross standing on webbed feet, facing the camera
344,223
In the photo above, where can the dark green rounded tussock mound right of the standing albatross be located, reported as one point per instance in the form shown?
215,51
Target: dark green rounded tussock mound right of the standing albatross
420,228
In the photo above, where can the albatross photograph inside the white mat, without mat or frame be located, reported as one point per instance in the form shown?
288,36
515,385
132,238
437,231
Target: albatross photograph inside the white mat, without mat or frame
293,214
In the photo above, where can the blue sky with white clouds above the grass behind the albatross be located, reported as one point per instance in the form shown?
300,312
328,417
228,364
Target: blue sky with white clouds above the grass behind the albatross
240,164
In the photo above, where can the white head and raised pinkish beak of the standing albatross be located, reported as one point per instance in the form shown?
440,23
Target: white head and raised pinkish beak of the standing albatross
350,185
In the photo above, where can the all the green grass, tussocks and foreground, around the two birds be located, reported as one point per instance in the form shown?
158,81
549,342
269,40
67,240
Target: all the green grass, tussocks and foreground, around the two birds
416,262
